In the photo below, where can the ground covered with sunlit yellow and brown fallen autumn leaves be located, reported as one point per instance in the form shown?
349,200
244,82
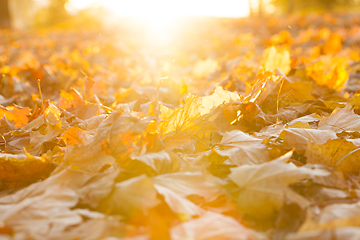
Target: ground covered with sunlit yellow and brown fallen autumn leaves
223,129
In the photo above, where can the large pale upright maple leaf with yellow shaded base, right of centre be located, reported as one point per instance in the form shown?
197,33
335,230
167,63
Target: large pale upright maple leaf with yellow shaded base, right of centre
264,187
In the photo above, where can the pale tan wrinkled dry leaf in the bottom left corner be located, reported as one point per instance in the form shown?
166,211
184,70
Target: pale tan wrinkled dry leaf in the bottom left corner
45,215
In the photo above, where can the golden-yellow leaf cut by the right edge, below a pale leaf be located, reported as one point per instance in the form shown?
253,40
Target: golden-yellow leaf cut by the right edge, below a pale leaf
335,153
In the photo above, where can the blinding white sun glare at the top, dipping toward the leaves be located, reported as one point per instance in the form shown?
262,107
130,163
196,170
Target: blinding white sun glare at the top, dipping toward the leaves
160,15
